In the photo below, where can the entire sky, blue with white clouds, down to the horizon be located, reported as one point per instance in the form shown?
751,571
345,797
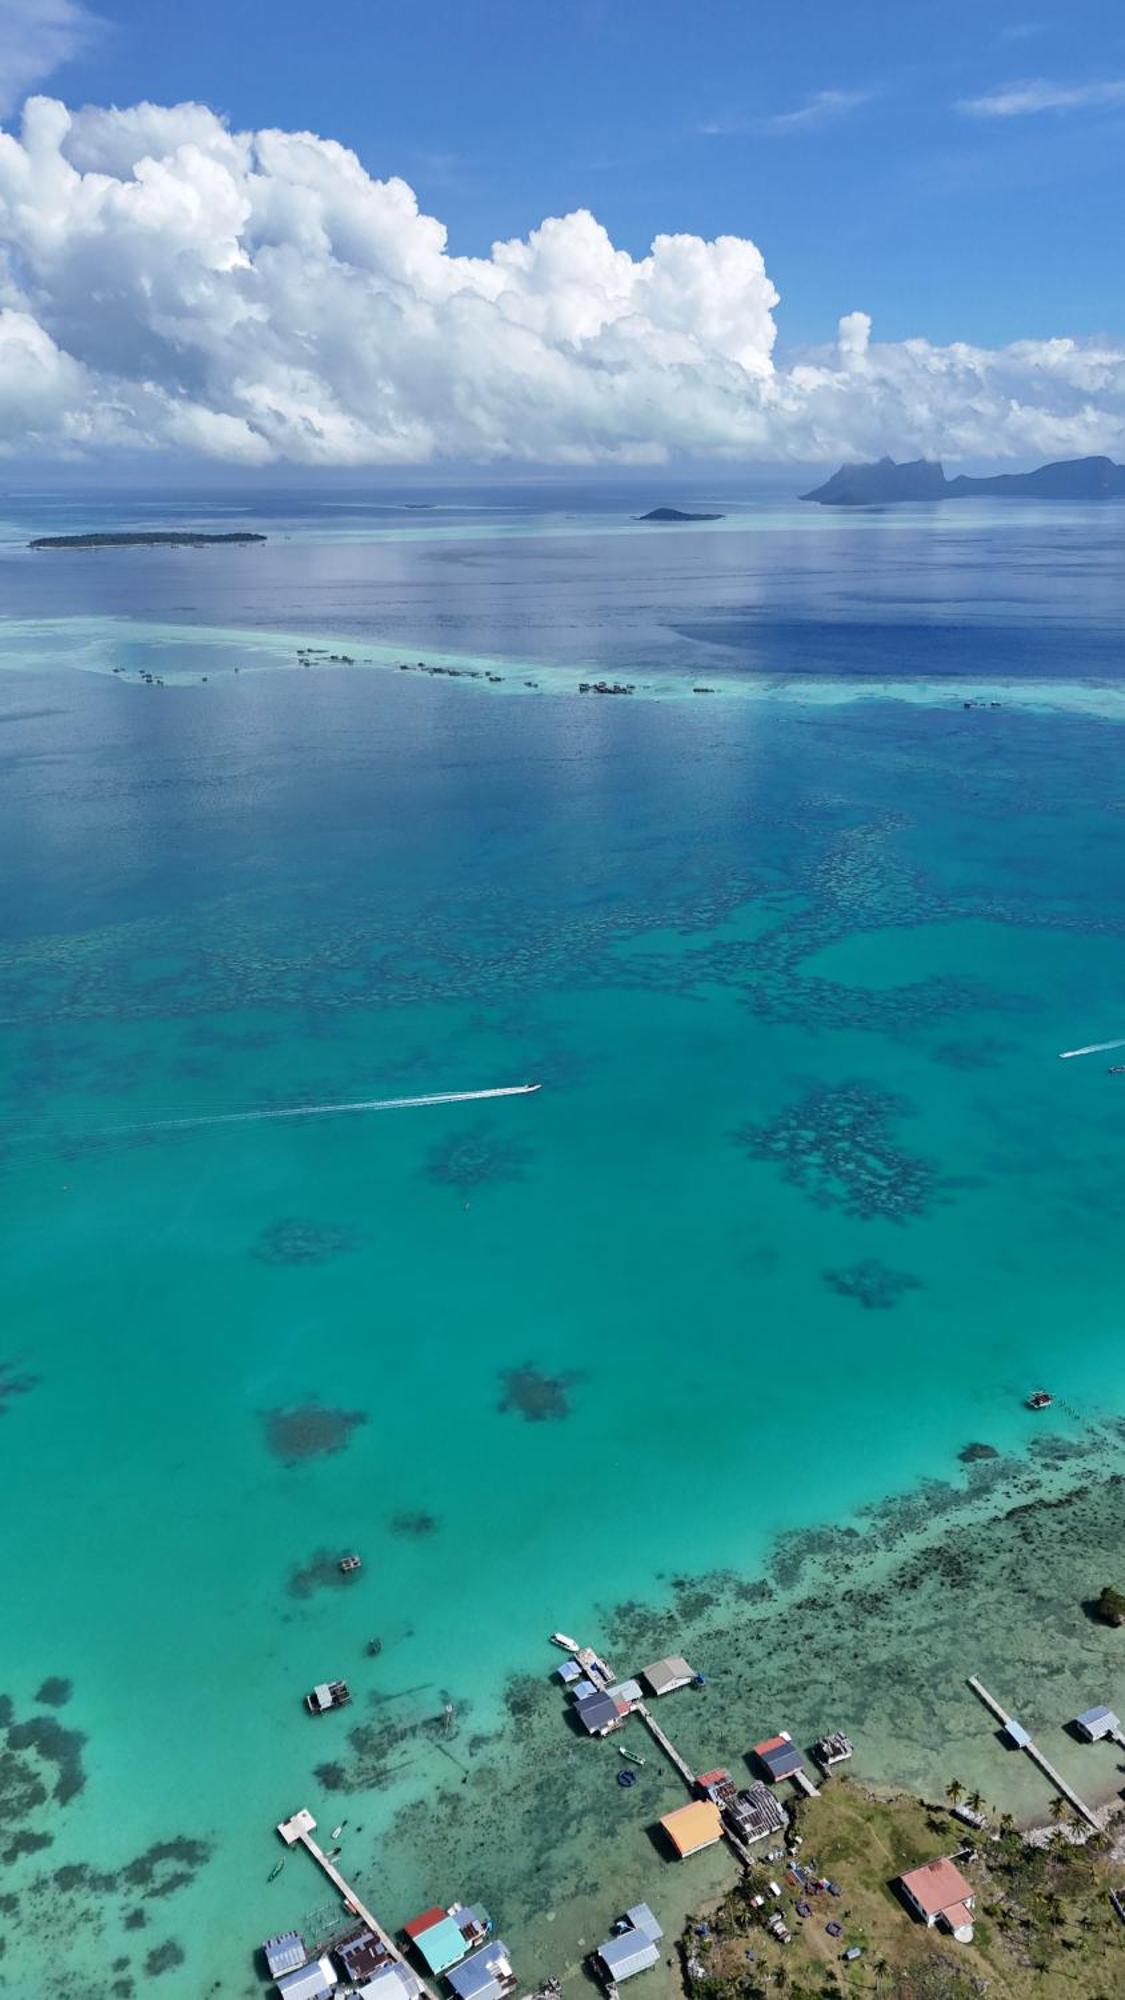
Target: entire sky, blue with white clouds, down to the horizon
884,225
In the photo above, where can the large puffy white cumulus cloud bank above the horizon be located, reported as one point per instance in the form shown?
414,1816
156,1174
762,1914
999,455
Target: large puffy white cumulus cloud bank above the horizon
257,297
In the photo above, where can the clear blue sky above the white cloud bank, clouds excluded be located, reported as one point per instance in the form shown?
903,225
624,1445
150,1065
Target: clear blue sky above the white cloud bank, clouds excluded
826,133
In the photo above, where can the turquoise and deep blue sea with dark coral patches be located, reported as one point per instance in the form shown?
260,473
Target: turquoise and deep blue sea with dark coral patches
720,1343
